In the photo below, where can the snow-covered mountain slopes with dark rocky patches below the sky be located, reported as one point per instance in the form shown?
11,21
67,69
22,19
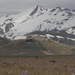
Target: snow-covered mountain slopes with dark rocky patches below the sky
37,18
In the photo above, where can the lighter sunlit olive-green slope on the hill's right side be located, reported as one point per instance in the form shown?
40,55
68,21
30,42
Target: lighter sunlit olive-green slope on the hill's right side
57,48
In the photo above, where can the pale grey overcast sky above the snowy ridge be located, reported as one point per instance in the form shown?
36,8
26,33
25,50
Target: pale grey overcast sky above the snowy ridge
16,6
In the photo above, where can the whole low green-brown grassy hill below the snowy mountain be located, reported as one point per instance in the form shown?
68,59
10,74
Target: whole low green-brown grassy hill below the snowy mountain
34,47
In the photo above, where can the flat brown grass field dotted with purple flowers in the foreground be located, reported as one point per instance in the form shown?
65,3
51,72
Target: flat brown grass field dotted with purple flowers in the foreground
57,65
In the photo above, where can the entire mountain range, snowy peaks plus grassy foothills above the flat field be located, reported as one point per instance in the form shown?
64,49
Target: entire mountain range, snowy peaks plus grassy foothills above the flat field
38,31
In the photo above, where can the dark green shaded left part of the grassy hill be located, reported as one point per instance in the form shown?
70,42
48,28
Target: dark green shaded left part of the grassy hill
21,47
